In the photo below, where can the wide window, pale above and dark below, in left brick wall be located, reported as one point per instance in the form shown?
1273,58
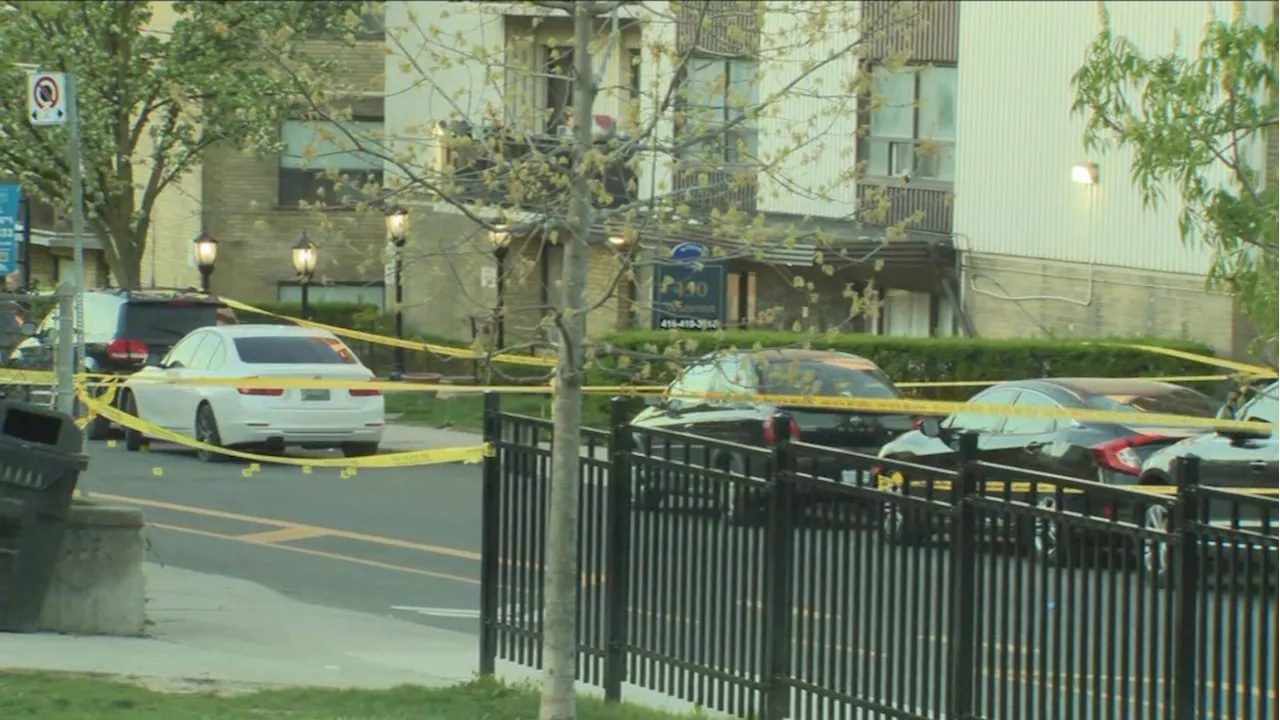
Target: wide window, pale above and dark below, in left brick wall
326,163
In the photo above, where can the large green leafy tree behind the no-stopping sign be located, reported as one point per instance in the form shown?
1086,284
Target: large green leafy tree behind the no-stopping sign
159,84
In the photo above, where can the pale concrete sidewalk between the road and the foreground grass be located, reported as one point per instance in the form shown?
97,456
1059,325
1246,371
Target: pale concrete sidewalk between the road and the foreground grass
212,634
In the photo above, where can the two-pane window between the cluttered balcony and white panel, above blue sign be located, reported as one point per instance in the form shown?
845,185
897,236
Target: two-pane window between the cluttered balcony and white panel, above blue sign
717,93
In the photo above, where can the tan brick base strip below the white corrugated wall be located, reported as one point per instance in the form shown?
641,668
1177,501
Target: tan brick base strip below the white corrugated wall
1027,298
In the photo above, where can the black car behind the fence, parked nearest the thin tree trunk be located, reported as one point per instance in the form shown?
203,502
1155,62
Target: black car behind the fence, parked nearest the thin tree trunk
744,422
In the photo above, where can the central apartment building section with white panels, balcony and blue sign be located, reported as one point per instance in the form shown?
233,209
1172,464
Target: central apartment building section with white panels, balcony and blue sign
811,193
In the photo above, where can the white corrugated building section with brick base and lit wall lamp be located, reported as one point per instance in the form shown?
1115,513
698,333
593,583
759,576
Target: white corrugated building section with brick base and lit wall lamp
1057,241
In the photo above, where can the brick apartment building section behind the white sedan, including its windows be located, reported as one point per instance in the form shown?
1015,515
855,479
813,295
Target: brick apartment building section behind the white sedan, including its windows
259,207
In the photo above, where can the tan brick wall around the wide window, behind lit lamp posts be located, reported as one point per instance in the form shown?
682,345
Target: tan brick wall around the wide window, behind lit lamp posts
255,235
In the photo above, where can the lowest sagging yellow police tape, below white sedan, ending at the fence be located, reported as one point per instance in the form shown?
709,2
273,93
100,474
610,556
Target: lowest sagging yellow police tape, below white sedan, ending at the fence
408,459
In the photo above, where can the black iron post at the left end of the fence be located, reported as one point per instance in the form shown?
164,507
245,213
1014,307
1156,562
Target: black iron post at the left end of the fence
490,522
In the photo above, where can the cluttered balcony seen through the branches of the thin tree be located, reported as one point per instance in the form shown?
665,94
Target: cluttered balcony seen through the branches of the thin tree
529,174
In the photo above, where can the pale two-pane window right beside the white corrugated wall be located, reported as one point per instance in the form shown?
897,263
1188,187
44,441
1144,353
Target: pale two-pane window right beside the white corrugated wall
913,125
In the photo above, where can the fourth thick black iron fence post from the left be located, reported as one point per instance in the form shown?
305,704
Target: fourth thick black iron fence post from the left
964,584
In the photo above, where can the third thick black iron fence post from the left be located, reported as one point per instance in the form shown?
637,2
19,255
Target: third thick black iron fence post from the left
780,555
